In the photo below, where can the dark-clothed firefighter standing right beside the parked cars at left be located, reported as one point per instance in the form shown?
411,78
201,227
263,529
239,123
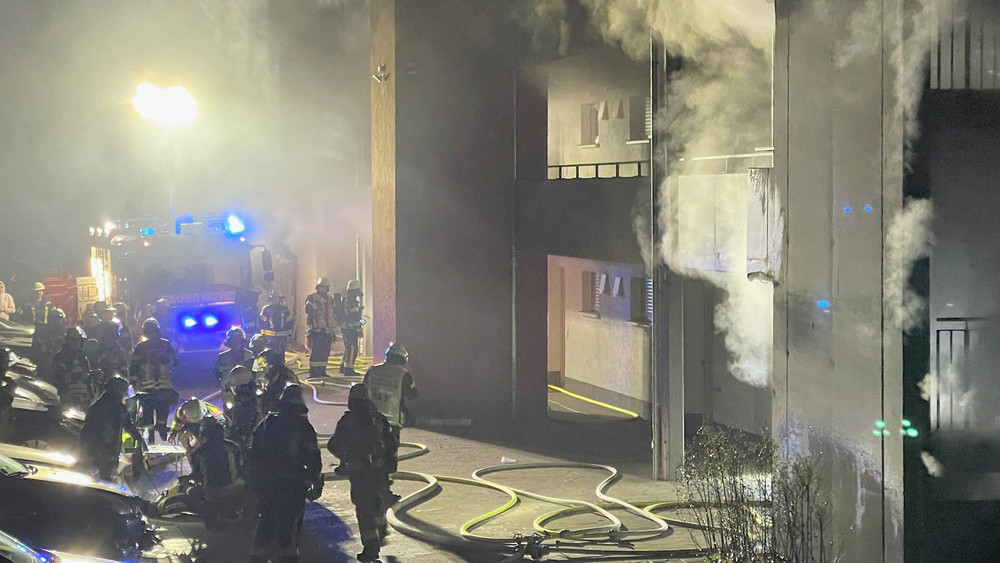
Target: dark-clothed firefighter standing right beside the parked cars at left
101,436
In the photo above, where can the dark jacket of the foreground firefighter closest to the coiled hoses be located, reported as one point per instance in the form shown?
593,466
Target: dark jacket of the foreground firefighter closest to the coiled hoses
363,441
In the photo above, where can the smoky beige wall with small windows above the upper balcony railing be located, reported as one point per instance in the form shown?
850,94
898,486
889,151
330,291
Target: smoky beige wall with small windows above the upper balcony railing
594,78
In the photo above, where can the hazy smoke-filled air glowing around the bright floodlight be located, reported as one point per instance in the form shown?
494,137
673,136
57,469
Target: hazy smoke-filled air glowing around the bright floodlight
277,116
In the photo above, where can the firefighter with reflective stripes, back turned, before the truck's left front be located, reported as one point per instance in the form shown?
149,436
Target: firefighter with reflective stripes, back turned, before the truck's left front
149,372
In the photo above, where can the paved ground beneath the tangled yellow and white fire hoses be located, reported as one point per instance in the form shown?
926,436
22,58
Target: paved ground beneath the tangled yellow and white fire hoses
330,529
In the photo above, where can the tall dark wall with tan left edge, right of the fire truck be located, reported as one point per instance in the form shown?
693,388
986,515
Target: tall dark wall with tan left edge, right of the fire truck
443,260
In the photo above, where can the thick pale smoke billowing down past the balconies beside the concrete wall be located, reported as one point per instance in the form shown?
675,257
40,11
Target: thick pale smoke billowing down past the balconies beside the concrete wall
719,103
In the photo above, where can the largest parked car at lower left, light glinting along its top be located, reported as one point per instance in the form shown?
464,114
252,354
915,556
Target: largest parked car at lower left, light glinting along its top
60,510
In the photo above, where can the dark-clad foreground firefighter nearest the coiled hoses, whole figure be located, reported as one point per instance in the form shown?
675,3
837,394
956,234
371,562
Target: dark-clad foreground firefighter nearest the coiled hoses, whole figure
366,448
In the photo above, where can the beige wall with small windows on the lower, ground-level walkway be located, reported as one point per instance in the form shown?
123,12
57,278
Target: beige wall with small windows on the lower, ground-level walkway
606,355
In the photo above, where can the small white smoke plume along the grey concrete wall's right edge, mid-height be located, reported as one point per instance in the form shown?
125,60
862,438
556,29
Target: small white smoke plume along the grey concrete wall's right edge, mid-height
908,239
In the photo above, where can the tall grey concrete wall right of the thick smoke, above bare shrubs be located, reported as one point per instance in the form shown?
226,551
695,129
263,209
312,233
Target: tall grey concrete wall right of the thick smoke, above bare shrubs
839,369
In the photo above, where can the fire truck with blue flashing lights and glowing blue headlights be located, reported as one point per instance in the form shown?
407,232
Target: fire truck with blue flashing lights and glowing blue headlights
195,276
